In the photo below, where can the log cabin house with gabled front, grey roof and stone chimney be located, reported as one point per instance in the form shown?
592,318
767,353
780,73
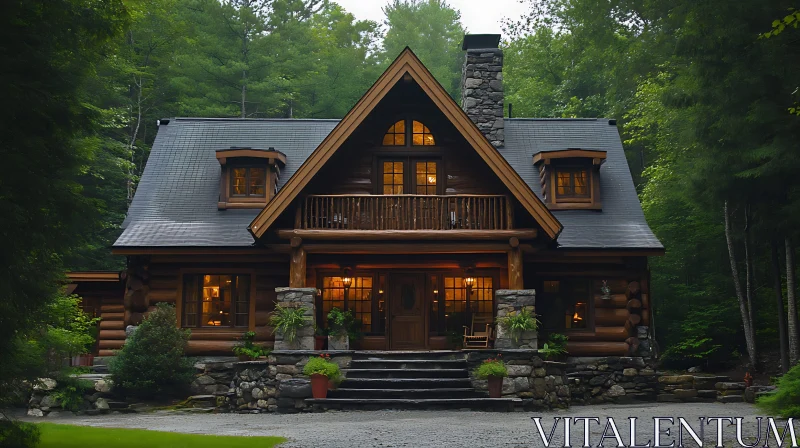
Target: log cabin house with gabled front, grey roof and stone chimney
408,192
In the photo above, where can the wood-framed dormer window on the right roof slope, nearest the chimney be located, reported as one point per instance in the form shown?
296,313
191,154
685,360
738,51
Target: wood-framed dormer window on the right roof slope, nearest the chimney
571,178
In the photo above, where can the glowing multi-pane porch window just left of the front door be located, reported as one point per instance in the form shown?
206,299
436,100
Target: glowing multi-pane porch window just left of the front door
357,298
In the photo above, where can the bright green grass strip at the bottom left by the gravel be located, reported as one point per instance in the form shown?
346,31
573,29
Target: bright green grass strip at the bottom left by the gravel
68,436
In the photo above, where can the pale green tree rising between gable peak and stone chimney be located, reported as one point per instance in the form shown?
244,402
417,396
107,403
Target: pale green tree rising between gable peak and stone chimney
433,30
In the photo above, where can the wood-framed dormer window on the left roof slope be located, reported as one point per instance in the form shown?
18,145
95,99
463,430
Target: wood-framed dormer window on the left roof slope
248,176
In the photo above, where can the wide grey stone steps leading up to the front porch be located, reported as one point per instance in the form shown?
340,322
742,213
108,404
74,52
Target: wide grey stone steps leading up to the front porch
410,380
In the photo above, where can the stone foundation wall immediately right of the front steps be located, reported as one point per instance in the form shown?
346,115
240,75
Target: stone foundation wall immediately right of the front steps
540,384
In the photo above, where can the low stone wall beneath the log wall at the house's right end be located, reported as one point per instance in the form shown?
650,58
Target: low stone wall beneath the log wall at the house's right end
611,380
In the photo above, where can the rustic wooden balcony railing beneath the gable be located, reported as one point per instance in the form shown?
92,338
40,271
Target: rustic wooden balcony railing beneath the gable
406,212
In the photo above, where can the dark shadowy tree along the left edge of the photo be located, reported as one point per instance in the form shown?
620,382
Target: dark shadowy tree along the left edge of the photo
50,49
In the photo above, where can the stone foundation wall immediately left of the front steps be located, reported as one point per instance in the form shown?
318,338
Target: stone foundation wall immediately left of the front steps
276,384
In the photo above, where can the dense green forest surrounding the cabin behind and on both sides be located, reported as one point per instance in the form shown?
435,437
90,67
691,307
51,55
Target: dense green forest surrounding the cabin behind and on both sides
704,92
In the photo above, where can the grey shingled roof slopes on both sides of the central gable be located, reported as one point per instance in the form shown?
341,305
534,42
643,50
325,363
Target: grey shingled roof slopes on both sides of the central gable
176,201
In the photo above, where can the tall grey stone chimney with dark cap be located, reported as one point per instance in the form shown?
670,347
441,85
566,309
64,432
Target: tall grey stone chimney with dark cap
482,85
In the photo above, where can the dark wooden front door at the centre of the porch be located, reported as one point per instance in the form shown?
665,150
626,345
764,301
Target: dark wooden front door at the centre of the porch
407,306
